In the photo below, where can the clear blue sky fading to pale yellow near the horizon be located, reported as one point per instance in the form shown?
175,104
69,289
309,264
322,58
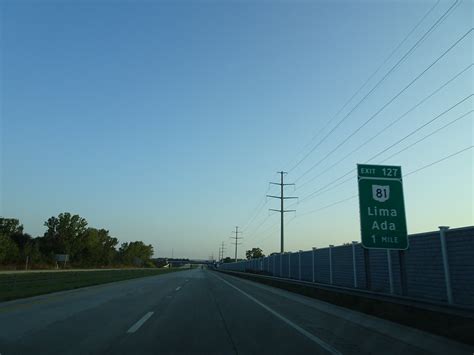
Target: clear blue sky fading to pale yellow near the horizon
164,121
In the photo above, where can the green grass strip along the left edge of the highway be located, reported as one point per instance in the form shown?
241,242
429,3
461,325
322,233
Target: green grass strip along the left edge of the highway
20,285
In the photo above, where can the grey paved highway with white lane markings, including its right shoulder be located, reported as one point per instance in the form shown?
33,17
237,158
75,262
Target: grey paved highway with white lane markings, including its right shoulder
200,311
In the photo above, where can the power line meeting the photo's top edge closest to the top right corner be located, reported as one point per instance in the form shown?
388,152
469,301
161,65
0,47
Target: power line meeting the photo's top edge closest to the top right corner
401,60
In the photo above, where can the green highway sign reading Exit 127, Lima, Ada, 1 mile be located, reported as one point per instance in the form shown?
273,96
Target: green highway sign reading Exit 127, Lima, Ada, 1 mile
382,210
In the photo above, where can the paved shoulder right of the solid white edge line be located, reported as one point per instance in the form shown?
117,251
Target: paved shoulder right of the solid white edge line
346,331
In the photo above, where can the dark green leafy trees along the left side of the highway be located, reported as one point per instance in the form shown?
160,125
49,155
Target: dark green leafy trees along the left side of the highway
69,235
